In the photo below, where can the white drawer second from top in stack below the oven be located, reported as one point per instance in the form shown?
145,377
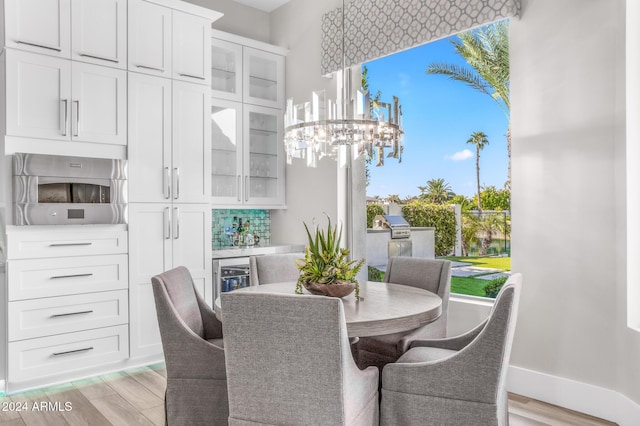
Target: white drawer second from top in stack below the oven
36,278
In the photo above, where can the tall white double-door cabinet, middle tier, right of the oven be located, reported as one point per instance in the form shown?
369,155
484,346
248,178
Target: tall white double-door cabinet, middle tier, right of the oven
169,140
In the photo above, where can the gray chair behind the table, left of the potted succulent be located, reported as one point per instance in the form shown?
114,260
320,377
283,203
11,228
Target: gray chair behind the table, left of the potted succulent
273,268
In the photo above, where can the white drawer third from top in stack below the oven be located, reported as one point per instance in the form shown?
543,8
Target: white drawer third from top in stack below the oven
65,314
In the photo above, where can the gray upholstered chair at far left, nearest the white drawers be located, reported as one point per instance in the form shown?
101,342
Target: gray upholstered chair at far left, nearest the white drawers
193,352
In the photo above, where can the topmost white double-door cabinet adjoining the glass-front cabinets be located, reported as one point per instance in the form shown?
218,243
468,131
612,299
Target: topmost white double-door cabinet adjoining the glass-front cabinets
169,43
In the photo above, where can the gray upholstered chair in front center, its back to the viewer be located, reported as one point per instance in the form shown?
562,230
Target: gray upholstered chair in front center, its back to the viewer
289,363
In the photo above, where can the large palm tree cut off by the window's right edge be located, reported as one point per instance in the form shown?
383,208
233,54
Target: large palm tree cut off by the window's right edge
487,52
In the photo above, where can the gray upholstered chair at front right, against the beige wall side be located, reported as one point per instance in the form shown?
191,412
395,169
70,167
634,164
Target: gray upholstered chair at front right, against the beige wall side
458,380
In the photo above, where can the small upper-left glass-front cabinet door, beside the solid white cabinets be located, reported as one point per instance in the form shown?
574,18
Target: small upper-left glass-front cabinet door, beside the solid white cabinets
226,70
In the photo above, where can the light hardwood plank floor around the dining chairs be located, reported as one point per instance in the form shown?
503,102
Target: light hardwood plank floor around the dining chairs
135,397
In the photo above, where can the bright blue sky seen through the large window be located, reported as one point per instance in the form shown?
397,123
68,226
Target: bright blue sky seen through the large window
439,115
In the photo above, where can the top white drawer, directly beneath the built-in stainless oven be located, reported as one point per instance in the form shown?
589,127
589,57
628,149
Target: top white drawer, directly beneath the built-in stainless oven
37,242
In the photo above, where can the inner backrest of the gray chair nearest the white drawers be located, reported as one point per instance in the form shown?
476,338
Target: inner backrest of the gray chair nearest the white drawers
176,285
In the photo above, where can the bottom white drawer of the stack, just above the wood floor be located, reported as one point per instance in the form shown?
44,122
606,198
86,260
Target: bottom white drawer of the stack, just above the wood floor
55,355
